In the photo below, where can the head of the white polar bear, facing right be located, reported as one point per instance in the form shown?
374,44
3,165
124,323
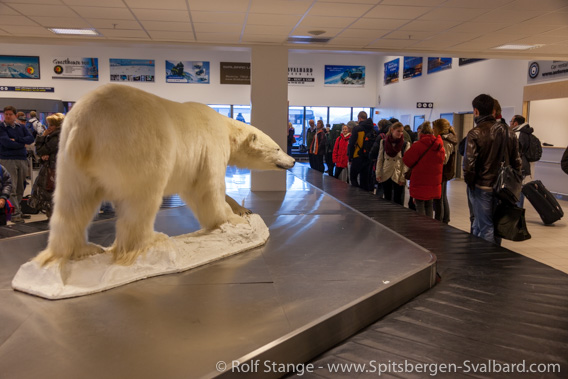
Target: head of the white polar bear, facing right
257,151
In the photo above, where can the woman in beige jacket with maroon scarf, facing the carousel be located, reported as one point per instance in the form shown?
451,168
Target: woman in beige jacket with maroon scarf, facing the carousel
390,168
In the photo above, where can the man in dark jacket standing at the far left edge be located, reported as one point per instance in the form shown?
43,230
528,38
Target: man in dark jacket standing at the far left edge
13,156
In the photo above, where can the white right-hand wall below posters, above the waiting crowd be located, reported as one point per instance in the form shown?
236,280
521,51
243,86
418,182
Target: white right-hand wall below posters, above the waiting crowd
453,90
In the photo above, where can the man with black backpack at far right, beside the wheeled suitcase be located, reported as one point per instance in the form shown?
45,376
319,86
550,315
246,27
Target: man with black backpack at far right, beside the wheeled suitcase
530,149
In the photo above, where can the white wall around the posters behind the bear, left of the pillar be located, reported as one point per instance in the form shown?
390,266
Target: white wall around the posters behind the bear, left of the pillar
72,90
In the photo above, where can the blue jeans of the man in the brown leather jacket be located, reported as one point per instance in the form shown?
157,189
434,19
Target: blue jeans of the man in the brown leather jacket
483,204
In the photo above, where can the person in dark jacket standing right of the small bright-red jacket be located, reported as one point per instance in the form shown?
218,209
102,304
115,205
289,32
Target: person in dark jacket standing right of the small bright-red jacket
359,164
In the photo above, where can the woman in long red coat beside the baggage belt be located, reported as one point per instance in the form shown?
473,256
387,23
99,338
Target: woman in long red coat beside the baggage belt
426,158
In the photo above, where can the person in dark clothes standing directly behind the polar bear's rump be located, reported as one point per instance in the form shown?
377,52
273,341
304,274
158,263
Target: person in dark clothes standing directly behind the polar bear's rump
47,146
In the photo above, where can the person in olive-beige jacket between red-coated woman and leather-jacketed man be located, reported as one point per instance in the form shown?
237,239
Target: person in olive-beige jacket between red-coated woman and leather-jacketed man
443,129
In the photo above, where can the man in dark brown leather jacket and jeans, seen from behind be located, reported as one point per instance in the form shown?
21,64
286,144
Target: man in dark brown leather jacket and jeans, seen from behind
482,161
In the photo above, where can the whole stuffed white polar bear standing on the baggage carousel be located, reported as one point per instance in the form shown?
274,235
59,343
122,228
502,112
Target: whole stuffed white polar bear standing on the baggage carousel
122,144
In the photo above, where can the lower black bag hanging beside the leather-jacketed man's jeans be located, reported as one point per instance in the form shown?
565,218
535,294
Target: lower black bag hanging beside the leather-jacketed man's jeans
509,222
